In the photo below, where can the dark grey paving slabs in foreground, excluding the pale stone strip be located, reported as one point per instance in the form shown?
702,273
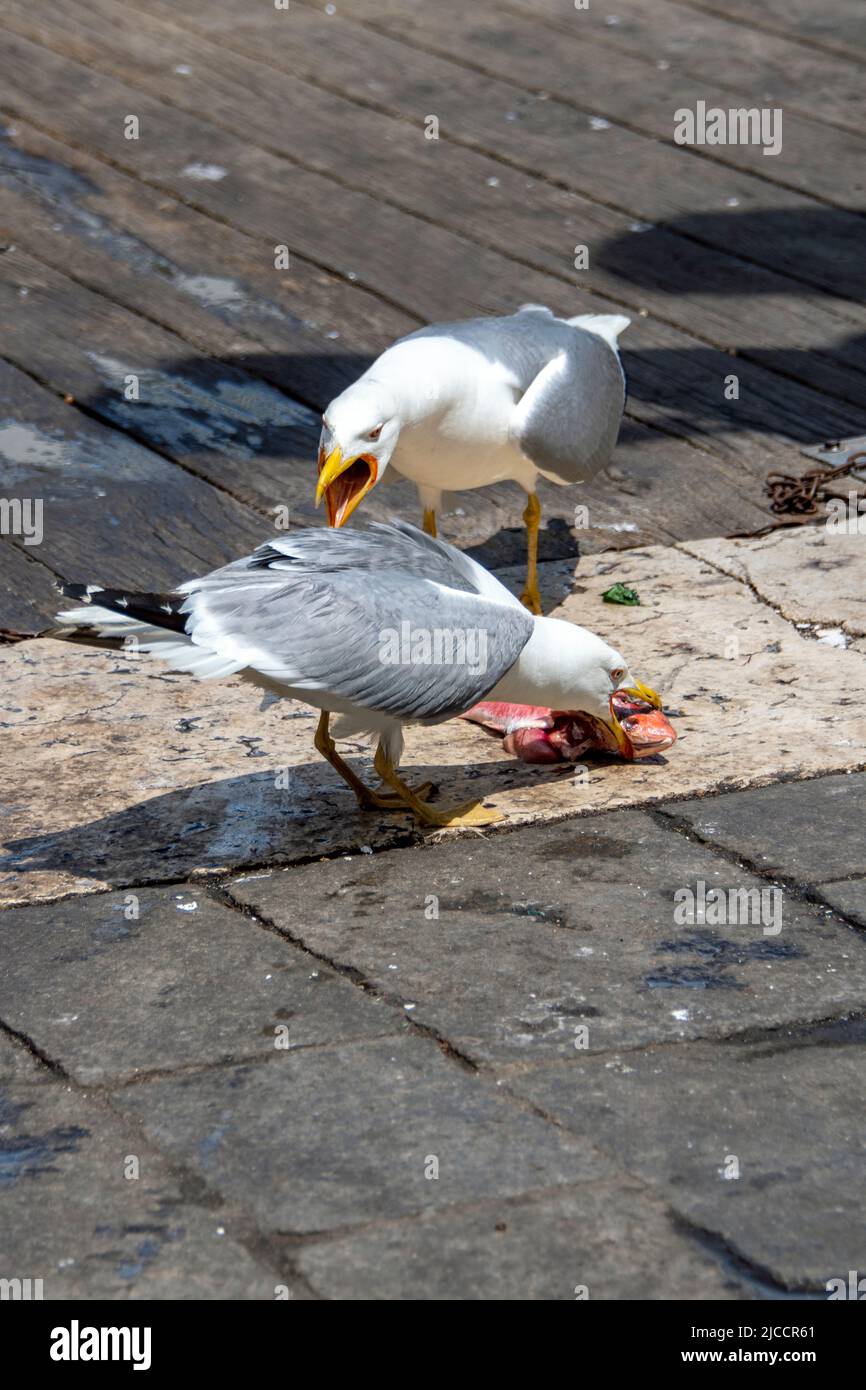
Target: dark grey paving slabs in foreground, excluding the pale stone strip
486,1068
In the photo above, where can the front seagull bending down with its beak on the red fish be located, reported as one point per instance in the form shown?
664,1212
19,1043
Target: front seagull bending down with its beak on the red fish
382,626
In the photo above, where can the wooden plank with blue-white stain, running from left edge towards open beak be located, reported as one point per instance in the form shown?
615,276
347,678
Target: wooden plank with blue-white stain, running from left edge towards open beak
223,425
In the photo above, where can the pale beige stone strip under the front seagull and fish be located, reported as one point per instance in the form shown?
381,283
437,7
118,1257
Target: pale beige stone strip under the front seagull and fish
120,772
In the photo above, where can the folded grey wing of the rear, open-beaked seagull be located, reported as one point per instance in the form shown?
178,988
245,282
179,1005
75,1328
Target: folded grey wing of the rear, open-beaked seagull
569,418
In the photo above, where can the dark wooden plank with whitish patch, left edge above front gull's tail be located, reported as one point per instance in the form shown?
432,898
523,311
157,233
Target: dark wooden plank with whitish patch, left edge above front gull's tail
111,511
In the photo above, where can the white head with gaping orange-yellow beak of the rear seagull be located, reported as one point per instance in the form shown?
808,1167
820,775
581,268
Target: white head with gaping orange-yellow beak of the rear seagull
359,434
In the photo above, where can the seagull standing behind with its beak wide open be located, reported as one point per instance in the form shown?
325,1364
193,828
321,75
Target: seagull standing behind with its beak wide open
471,404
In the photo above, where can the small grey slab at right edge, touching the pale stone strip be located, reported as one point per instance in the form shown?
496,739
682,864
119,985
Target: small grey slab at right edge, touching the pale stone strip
807,835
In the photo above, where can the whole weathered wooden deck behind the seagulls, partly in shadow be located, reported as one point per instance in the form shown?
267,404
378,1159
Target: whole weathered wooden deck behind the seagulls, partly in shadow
263,127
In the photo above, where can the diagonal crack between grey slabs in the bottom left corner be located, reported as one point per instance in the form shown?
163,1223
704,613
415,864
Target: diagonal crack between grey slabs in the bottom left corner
193,1189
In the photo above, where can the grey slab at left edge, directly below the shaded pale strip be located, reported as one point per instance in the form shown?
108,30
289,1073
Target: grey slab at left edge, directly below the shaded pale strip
187,982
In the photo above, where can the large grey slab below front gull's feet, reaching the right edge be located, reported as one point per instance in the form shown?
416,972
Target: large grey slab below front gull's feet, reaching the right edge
551,940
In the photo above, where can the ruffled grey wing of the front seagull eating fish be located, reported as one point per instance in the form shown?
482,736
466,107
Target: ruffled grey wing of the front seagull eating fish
387,641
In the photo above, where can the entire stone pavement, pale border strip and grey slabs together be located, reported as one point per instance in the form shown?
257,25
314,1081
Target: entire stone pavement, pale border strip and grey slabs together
258,1046
